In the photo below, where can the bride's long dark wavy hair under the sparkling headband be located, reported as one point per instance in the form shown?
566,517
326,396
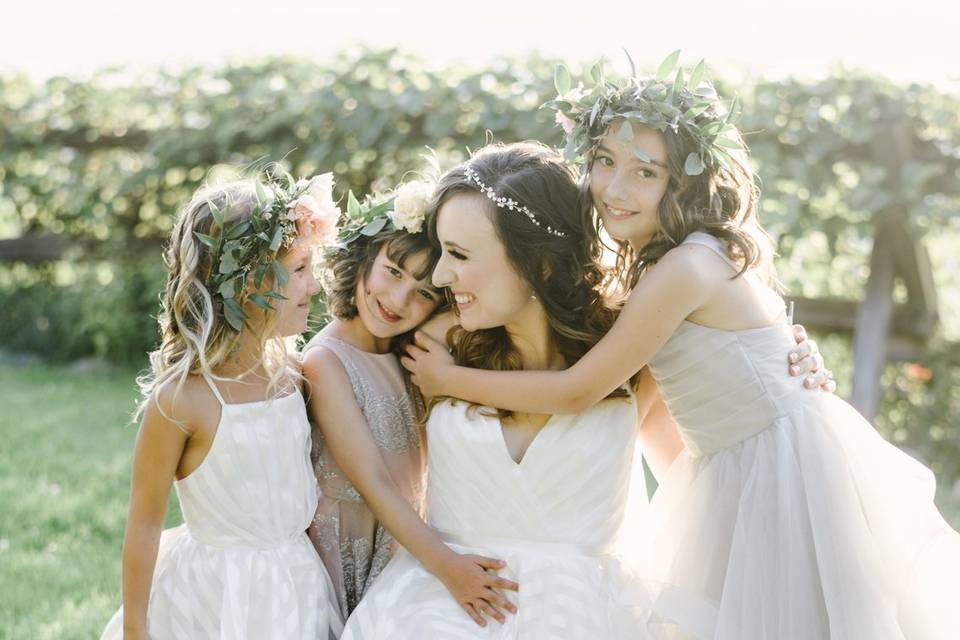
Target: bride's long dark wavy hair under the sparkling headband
565,274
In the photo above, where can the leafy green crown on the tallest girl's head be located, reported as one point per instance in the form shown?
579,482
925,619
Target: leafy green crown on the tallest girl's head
658,102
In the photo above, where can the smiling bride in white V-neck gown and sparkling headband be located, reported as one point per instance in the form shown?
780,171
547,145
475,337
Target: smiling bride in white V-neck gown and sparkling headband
547,494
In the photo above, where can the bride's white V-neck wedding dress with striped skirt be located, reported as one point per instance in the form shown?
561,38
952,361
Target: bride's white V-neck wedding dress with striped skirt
554,518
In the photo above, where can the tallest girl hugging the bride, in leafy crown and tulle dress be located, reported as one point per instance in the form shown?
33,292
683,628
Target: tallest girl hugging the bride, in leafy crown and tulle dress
787,517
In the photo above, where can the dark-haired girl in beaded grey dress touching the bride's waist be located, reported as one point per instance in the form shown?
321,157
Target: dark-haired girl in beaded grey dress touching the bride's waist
368,455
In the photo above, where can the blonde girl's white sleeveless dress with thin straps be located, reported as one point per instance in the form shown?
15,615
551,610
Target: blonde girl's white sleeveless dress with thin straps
241,566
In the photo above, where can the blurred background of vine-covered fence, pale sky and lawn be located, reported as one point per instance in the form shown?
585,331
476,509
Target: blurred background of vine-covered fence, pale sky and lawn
110,116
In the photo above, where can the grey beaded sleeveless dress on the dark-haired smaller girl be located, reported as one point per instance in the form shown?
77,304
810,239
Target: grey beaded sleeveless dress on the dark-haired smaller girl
353,544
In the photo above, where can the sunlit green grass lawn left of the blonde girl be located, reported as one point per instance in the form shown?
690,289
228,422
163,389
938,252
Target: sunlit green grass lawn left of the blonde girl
64,481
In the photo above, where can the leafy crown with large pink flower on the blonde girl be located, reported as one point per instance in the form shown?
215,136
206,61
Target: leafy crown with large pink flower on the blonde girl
284,211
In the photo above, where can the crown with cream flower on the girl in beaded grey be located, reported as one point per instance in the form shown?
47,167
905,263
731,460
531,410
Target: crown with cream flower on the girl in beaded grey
403,208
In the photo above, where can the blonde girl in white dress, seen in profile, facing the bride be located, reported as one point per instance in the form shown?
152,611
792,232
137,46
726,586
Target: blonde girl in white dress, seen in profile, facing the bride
225,422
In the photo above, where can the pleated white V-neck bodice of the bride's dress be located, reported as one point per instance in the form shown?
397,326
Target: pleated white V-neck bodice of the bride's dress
570,486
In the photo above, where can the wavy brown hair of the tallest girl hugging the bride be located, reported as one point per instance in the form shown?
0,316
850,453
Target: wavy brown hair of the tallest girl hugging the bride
721,201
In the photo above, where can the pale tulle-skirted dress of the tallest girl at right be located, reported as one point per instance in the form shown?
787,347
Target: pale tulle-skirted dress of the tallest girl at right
787,516
